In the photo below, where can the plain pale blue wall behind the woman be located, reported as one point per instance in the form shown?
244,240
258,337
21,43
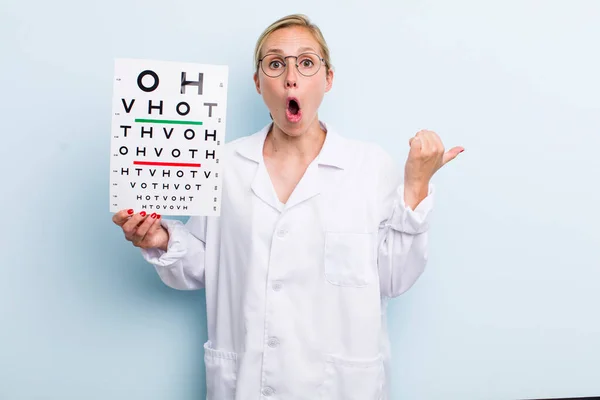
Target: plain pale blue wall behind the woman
508,307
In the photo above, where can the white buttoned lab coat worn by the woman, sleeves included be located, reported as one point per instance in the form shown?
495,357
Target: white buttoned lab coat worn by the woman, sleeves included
296,292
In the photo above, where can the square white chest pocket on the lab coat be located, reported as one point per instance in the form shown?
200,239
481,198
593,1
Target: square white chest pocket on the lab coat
350,259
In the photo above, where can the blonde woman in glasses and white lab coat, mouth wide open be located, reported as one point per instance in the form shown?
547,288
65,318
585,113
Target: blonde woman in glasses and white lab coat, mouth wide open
316,232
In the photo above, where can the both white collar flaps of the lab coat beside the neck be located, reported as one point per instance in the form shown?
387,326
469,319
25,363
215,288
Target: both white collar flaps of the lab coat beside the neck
332,153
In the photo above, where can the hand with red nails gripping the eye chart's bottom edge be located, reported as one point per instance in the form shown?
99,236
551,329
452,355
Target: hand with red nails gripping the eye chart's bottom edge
144,231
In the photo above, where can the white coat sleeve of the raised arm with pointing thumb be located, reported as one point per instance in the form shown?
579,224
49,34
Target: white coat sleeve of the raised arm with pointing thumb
403,233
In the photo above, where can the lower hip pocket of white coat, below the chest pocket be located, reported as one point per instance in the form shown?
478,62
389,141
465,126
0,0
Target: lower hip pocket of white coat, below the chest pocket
353,379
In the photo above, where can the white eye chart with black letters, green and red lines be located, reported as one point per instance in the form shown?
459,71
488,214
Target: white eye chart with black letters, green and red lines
167,137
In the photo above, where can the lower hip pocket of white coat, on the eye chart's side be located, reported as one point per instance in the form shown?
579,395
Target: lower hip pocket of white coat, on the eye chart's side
221,373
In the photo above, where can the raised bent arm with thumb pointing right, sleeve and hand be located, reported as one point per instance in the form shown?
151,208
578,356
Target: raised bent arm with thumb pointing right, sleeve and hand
402,252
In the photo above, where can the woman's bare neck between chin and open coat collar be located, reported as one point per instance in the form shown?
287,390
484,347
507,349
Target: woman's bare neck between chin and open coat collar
301,147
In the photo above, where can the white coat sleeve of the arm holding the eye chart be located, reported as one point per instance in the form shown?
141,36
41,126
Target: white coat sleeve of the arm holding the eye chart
182,265
